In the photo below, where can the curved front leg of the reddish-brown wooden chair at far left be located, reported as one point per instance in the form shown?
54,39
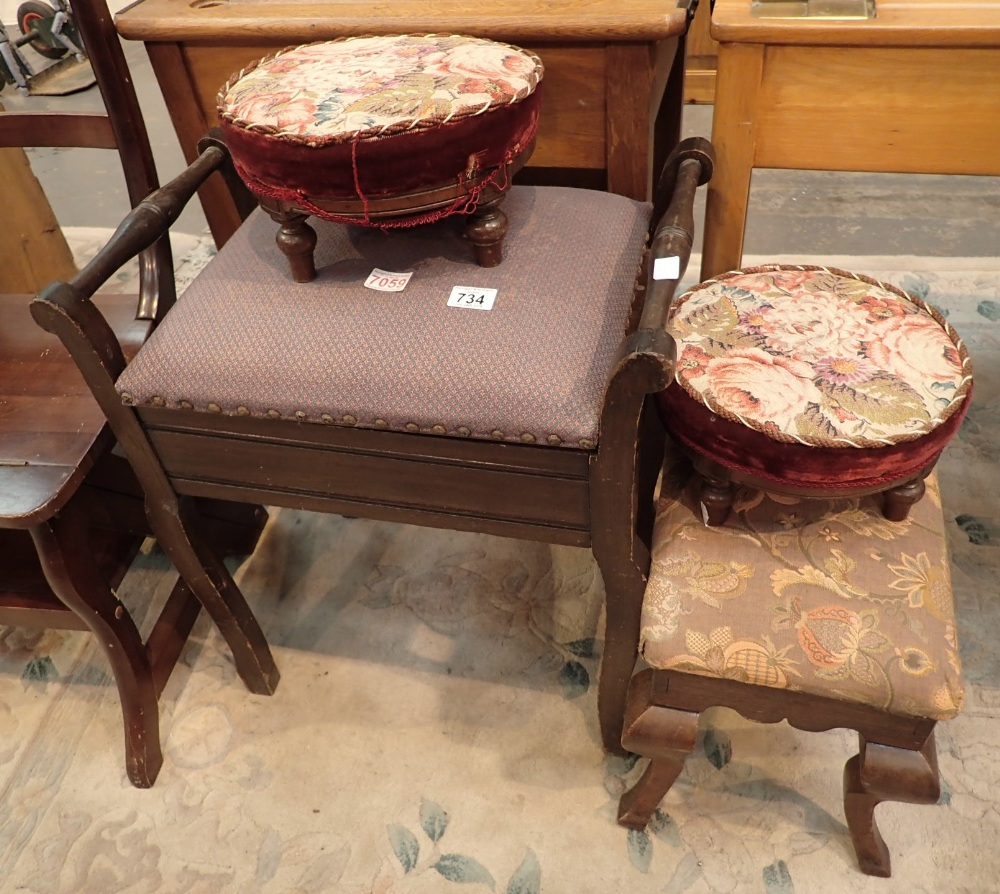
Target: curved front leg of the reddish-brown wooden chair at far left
63,549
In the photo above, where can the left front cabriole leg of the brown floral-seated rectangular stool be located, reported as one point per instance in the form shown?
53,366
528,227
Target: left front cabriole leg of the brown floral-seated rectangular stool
666,736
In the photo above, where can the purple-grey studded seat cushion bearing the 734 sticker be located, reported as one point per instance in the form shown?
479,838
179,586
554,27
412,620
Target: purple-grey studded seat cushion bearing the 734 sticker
532,369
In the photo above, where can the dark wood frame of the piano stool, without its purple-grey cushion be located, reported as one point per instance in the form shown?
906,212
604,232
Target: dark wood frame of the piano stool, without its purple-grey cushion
601,498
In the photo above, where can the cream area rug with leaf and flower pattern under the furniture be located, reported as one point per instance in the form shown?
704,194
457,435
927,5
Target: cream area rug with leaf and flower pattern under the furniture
435,726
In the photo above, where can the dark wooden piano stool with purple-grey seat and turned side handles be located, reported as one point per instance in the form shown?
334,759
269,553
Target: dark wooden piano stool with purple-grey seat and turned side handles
531,420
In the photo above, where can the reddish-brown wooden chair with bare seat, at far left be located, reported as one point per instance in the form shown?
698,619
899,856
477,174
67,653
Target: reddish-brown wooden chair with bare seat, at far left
71,512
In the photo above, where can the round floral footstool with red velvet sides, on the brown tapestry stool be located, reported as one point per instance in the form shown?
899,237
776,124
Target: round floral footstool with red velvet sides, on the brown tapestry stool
815,382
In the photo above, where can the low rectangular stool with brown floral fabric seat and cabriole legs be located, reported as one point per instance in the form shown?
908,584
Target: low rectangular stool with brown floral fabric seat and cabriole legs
823,613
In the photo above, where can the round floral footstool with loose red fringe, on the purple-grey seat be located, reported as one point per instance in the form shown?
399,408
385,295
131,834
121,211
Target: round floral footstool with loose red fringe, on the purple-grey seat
388,131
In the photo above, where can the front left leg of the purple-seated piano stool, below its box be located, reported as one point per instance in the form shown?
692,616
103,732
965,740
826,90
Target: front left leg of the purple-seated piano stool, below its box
177,530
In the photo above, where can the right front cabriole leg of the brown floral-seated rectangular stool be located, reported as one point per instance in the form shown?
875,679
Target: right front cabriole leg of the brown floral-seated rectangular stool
884,773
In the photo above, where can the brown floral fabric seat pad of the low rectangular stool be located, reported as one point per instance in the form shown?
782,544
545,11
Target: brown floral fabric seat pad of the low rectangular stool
822,597
